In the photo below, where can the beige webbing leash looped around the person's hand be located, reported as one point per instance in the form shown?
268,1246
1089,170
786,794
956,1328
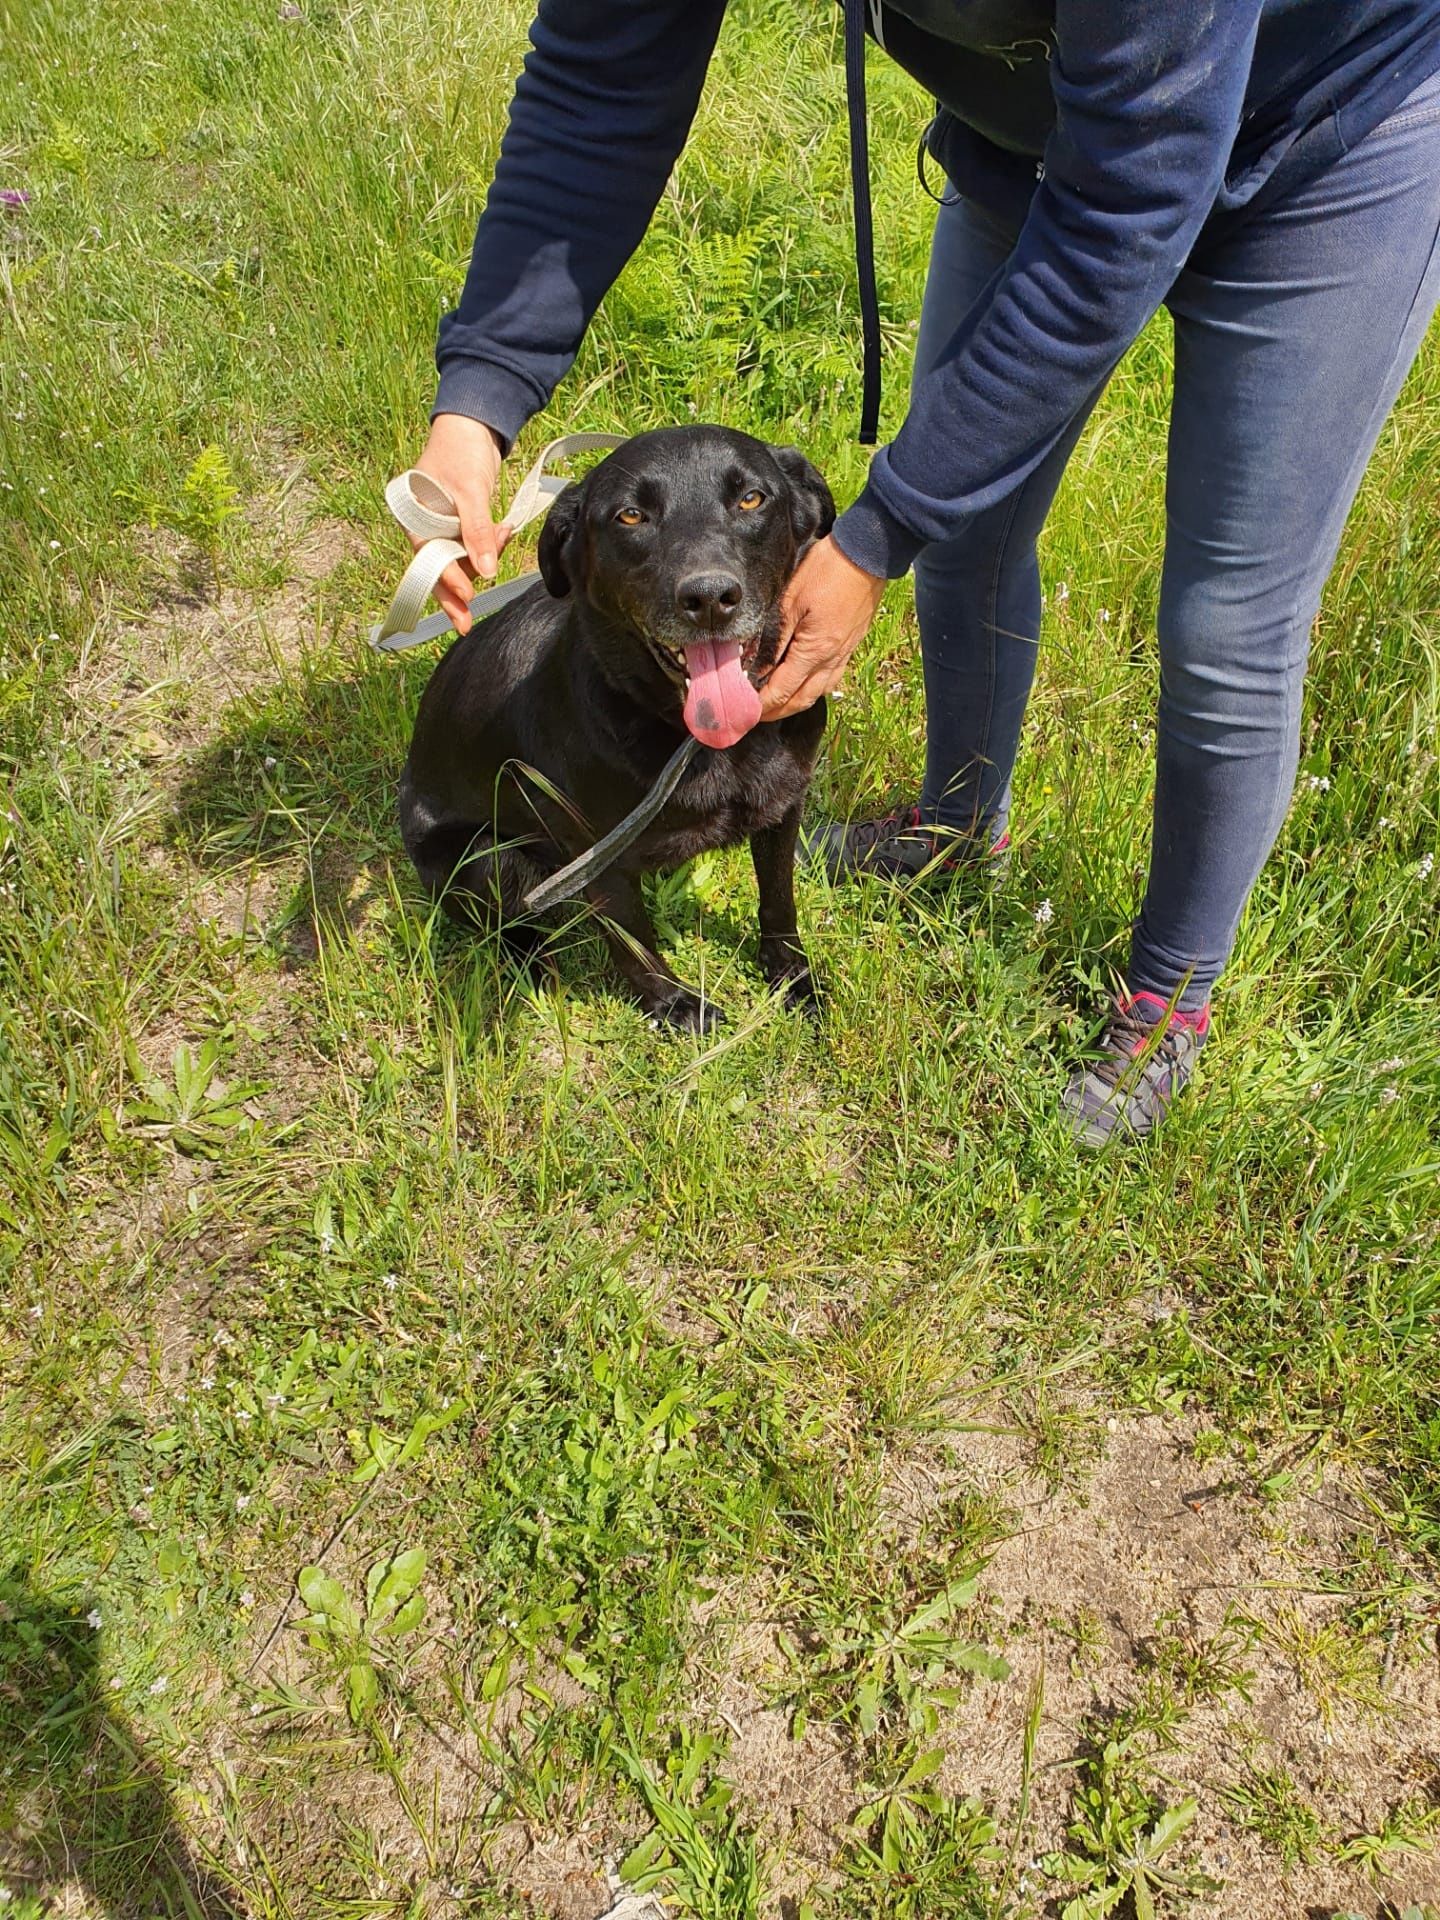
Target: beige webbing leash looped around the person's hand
427,512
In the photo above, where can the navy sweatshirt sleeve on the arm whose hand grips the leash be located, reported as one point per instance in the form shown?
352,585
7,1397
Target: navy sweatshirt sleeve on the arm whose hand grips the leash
600,116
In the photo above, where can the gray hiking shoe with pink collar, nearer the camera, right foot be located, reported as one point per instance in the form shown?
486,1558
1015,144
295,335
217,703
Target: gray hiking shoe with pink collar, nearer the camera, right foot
1145,1063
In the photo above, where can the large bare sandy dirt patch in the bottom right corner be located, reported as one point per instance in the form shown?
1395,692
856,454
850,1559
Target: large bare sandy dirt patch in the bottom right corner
1159,1558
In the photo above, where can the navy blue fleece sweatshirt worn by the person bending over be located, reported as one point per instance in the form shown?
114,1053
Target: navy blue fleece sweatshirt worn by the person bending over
1118,126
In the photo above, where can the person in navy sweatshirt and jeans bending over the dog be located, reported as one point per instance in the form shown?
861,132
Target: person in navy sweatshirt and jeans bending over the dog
1268,170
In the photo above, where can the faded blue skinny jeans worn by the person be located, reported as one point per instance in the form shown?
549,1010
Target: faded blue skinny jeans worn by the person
1295,327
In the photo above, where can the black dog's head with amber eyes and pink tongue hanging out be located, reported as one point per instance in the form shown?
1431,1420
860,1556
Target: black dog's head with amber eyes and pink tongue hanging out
683,542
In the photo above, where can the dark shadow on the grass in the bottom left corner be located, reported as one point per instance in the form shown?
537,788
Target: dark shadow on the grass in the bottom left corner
80,1800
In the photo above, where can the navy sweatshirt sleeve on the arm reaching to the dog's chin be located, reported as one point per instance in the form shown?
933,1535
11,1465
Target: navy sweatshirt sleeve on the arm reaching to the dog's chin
1149,99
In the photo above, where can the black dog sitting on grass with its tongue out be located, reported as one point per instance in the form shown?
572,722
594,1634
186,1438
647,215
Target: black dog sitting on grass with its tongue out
546,725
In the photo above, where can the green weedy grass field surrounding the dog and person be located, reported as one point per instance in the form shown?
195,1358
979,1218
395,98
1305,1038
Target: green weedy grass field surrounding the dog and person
656,1376
